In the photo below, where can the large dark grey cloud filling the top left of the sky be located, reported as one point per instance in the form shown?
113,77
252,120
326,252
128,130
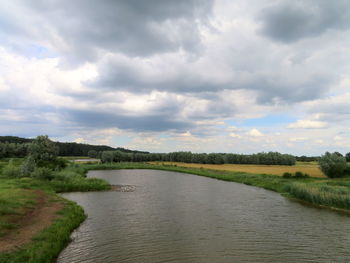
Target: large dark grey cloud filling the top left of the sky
81,29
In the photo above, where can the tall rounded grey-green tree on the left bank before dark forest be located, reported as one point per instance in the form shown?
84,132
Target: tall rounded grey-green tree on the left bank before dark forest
43,149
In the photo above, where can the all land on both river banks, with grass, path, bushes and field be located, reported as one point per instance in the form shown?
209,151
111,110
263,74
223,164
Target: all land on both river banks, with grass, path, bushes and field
36,223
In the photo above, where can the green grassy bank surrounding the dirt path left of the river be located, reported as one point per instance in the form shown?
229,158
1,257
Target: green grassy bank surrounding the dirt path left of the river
18,201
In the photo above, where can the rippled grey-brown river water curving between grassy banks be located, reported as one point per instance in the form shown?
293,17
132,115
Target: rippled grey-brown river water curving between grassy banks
176,217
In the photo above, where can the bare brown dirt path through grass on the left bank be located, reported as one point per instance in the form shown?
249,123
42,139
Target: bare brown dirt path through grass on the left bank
32,222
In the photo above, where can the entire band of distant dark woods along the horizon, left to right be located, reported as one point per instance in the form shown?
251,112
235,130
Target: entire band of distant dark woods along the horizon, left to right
12,146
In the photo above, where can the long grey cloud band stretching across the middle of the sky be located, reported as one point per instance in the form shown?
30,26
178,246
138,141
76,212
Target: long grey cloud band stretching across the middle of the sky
273,83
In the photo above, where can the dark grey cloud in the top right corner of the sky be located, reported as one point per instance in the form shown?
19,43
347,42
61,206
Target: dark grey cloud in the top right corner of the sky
289,21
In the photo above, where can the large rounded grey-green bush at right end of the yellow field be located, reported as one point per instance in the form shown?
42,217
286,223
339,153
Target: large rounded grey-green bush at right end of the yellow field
333,165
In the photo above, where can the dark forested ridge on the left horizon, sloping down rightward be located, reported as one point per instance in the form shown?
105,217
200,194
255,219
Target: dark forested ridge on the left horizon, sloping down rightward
13,146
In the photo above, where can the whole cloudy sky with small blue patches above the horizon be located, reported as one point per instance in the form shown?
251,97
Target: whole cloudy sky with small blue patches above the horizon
239,76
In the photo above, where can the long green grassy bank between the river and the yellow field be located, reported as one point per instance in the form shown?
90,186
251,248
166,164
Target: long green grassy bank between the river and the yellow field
332,193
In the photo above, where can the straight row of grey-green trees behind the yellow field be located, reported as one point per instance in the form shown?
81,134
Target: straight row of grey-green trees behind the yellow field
269,158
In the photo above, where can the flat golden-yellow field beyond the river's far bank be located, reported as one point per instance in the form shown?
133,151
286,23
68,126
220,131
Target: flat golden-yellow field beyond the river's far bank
311,168
